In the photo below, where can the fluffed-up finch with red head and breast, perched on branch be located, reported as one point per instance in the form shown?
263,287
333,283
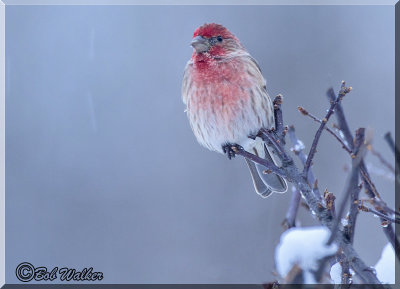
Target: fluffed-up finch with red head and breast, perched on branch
227,102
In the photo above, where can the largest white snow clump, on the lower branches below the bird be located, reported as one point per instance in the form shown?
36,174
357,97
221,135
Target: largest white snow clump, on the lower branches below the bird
303,247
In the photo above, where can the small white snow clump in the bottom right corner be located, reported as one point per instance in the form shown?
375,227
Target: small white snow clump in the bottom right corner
385,266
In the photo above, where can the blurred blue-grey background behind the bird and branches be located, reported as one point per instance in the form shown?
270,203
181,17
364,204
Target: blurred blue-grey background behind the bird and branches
103,171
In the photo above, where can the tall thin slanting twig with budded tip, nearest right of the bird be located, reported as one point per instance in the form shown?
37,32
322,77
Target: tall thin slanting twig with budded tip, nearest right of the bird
343,91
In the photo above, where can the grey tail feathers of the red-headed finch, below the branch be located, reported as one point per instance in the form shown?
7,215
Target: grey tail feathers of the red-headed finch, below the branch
265,184
